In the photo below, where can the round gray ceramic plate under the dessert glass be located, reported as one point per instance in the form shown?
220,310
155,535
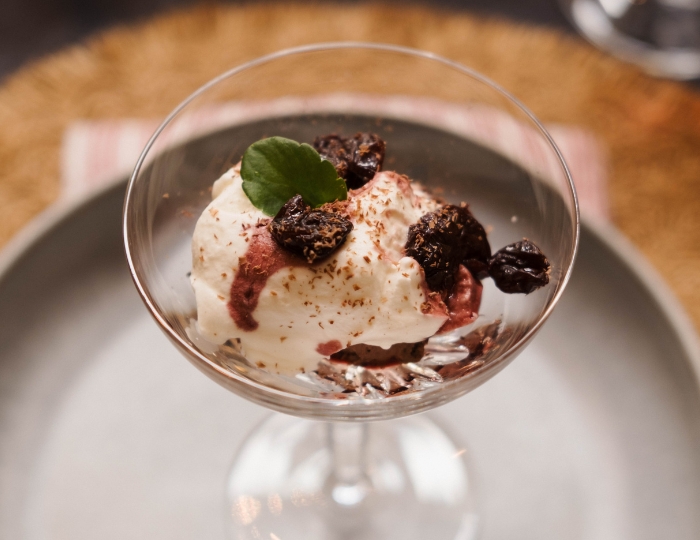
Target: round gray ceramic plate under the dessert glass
107,433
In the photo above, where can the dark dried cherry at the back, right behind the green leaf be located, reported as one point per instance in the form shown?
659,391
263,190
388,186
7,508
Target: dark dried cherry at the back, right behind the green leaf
356,159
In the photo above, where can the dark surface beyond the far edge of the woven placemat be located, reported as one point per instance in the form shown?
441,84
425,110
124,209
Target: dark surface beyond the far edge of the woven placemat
32,28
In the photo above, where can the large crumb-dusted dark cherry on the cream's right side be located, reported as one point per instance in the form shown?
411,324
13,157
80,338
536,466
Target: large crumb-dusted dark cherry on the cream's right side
444,239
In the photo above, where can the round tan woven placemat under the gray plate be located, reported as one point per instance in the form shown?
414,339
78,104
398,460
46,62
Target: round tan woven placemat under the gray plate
651,127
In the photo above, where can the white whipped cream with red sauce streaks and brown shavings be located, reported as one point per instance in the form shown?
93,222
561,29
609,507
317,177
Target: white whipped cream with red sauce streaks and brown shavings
289,314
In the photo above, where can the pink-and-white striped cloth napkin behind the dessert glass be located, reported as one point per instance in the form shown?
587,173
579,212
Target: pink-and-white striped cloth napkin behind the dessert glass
98,153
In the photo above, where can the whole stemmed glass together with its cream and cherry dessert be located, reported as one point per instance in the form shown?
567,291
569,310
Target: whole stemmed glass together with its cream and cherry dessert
350,234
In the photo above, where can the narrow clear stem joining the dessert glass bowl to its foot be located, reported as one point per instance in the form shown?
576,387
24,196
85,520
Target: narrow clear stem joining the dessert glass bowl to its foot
348,481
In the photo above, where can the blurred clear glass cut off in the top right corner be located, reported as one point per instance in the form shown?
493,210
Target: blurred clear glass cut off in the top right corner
661,36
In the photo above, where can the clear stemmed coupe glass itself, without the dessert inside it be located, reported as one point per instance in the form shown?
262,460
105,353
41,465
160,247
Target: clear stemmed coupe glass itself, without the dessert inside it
350,458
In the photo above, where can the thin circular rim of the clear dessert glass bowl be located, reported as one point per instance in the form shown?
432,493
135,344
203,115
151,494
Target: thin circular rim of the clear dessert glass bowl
194,353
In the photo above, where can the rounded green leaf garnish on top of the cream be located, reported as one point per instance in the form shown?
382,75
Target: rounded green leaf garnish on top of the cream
276,169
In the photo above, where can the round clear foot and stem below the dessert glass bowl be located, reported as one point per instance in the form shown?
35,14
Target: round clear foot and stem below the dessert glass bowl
296,479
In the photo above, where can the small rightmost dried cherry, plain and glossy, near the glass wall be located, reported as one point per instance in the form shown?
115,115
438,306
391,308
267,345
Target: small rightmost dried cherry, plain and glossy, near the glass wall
519,268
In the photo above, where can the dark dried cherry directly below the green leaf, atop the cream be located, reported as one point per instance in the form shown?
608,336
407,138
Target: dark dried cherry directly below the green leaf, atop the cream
308,232
